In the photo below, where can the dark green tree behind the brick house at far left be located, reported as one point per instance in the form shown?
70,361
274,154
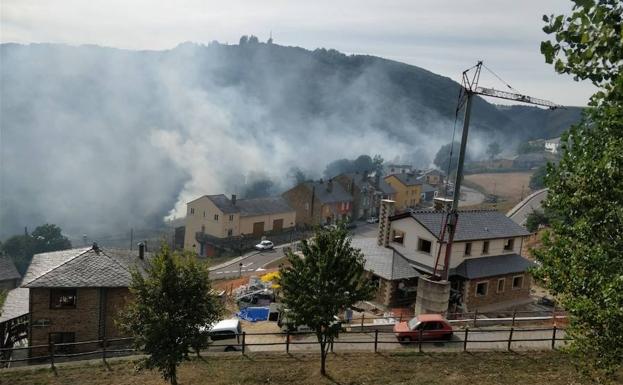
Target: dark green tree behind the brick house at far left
45,238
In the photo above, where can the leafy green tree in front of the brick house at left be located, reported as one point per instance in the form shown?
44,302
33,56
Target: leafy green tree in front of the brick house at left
172,305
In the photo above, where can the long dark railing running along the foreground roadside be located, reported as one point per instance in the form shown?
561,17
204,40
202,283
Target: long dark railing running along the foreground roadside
376,339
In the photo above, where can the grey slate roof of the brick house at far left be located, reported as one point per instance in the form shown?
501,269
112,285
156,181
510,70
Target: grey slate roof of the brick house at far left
83,268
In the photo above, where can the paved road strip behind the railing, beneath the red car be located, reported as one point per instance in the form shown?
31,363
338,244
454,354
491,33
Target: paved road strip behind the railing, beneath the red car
478,339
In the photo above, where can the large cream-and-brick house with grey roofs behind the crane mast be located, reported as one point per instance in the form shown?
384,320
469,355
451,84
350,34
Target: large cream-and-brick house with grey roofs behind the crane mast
486,271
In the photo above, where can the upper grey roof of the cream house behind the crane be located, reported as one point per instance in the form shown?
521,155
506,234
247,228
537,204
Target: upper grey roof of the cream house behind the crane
472,224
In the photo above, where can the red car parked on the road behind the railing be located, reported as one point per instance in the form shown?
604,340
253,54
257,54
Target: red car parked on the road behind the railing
433,326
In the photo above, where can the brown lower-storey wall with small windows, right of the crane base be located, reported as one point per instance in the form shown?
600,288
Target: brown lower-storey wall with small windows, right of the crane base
473,302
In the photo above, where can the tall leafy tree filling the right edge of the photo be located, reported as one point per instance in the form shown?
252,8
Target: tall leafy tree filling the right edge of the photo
581,254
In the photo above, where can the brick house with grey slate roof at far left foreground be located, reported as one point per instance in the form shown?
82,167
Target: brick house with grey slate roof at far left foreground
76,294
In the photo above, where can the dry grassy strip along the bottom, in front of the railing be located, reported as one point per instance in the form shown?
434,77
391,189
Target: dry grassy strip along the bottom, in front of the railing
362,368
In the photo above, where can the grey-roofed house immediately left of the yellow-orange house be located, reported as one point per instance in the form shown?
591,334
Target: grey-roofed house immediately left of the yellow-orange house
367,192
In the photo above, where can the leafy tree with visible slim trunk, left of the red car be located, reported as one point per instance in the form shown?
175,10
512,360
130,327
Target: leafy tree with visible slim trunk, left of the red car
328,279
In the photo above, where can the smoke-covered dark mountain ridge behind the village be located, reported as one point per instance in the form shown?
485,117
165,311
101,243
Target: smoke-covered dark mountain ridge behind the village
97,138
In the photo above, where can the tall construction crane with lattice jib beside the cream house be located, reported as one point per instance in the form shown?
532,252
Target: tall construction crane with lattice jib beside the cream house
469,88
